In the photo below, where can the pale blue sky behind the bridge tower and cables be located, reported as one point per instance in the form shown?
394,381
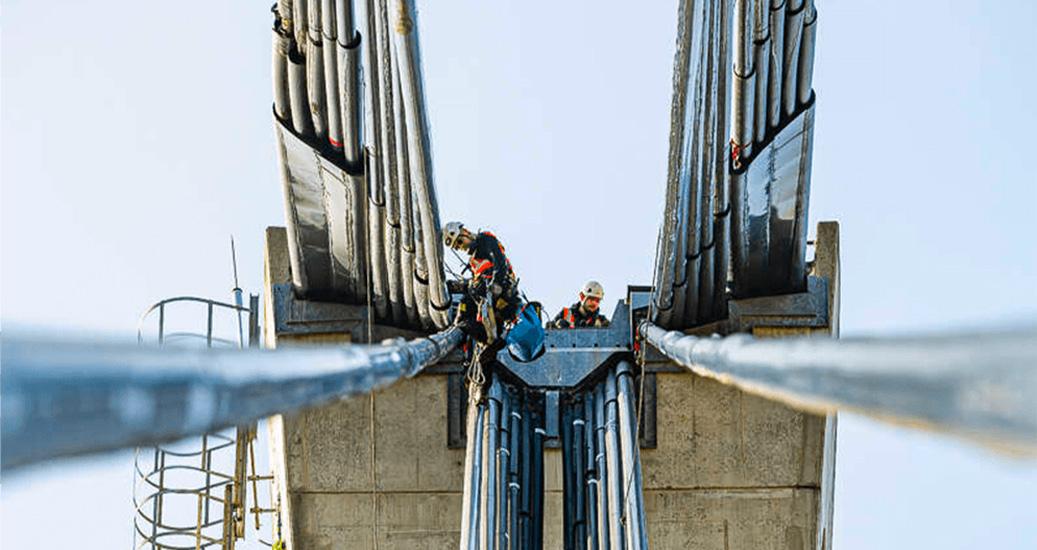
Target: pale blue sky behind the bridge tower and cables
136,139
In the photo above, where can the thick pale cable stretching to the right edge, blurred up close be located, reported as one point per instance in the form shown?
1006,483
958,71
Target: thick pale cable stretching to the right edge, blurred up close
983,386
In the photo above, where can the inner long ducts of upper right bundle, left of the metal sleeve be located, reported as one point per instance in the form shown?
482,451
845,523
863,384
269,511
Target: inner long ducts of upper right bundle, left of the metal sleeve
692,257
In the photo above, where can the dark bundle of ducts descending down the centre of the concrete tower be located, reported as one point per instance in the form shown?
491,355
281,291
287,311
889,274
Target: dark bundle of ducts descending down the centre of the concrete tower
503,486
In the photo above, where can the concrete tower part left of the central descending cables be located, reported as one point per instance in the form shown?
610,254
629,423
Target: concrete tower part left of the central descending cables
373,472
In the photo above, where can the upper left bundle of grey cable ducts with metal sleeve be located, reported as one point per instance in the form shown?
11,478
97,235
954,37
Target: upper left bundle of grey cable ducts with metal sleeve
362,216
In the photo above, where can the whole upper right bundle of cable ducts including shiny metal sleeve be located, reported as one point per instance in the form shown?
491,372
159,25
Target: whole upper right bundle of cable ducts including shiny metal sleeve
741,147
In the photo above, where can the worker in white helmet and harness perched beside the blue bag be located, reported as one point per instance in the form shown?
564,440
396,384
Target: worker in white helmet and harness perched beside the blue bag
492,297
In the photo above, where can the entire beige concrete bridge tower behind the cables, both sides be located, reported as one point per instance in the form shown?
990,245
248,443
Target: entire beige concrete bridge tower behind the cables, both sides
725,471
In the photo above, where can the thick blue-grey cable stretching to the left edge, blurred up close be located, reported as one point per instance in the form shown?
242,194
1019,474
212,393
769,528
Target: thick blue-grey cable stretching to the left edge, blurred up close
74,398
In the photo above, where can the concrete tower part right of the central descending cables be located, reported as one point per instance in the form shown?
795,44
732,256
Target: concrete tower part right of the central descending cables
733,471
